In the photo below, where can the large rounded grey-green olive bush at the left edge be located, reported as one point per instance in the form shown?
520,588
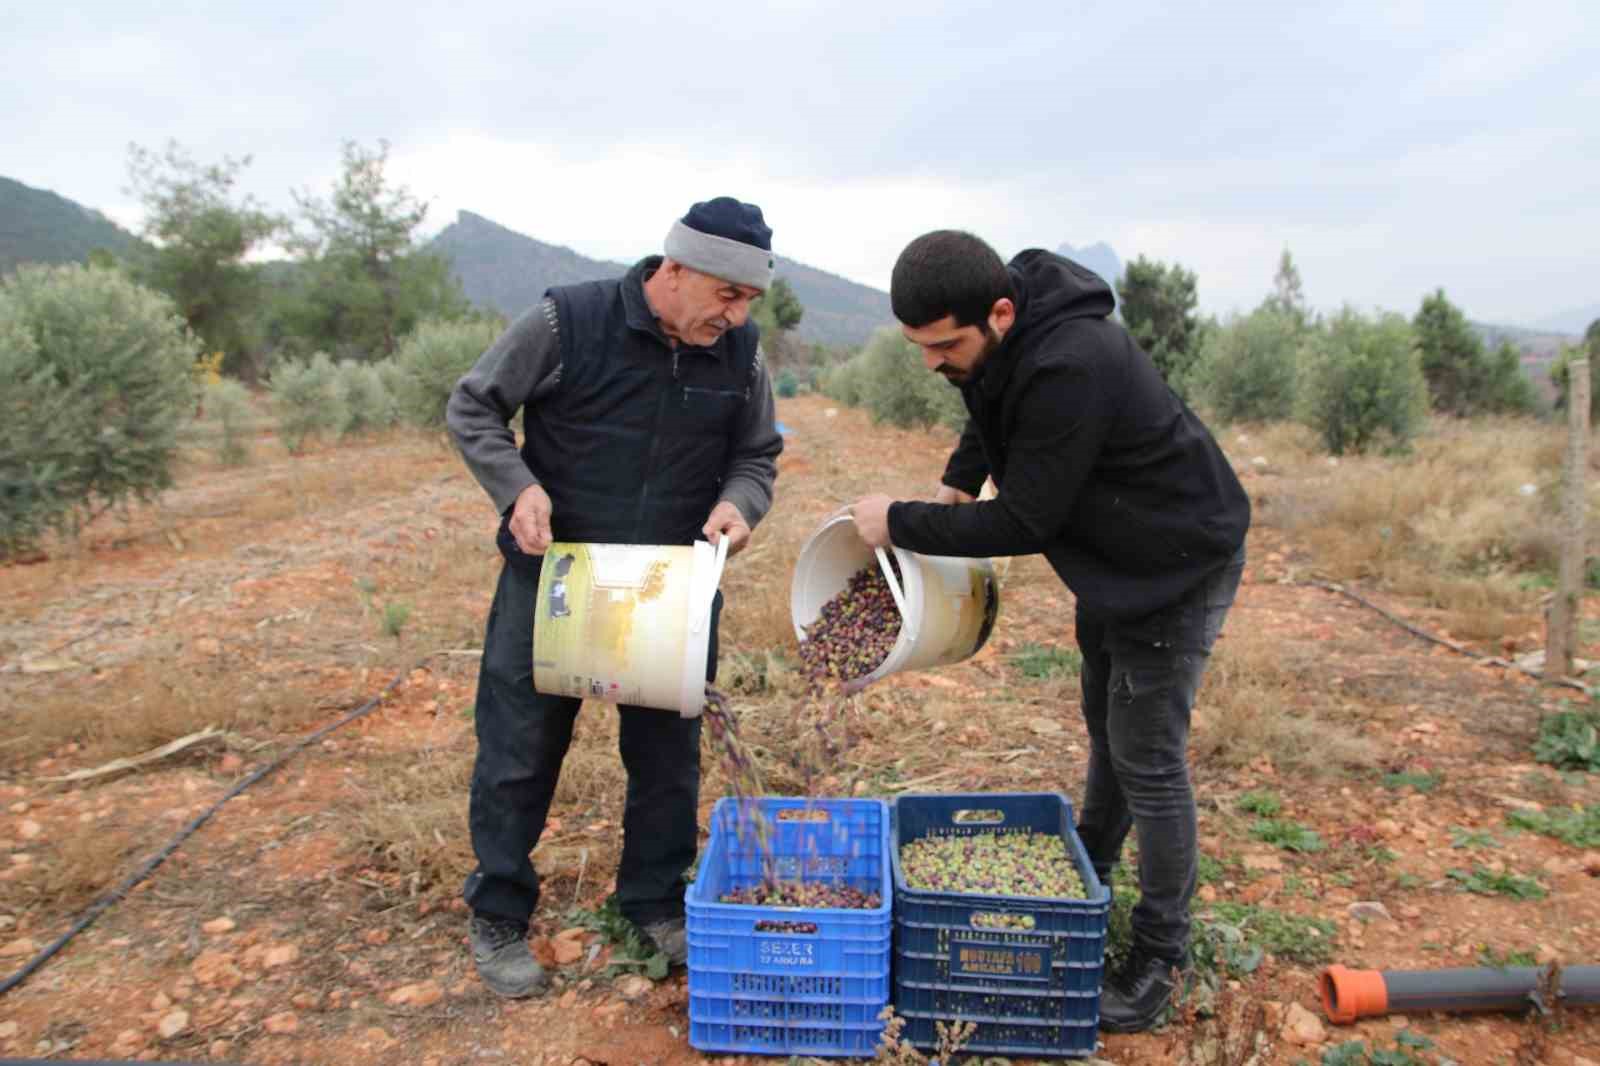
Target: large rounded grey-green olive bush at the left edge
94,388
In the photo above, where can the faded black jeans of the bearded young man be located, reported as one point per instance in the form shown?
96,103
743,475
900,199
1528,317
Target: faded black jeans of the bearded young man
1140,683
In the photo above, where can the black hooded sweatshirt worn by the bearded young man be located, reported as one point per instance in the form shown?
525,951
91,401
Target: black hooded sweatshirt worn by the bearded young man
1098,463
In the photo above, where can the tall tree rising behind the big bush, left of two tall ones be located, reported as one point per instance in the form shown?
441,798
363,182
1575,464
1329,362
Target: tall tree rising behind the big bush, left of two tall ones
201,231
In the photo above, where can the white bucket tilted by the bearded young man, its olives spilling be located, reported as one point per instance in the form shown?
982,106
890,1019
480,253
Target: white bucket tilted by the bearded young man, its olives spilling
948,604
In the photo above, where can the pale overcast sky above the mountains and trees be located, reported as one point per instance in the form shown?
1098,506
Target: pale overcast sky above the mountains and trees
1393,146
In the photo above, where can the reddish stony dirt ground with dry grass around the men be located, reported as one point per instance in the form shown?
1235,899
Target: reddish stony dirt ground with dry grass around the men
311,923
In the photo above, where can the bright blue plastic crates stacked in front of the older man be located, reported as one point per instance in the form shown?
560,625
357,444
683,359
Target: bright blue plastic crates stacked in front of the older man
791,980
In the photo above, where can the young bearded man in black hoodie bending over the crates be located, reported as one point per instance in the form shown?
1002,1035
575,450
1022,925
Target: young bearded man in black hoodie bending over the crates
1113,478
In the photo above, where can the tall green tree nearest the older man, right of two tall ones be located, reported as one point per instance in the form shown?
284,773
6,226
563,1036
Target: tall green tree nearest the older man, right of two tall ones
364,283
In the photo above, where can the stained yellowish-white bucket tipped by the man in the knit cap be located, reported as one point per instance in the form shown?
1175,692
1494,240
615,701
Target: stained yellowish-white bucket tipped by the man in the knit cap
626,623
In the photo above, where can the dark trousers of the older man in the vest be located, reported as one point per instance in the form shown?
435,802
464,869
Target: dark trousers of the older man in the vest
522,740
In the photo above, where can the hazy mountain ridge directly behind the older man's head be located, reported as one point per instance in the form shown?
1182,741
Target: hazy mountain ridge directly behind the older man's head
510,271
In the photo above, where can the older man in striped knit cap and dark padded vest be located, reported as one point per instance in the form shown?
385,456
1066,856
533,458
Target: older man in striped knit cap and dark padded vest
649,420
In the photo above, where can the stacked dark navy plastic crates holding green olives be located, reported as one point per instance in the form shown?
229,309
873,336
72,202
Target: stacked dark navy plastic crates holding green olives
1030,992
